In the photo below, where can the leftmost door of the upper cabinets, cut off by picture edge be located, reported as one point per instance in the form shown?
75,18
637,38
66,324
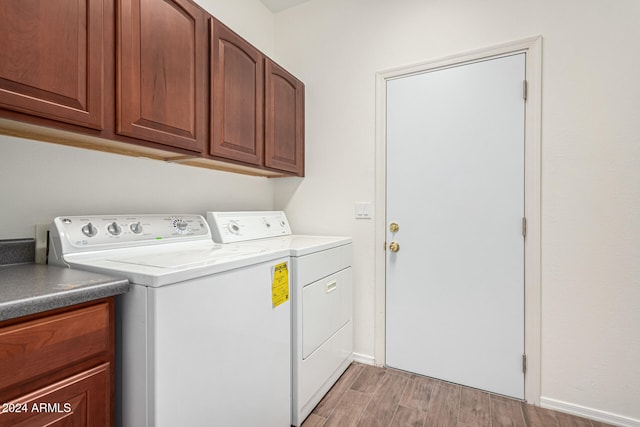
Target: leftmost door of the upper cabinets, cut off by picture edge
51,59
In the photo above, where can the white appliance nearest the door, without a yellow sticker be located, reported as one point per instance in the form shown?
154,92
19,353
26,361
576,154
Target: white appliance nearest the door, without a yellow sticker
321,293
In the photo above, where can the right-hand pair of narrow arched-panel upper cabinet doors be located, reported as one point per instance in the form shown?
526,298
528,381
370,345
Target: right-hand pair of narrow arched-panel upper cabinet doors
257,108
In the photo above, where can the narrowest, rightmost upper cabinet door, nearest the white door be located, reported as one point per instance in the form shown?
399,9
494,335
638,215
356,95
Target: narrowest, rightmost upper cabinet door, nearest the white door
284,122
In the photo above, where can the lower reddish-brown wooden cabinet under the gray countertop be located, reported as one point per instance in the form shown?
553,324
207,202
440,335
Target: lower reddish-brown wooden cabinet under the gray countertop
58,368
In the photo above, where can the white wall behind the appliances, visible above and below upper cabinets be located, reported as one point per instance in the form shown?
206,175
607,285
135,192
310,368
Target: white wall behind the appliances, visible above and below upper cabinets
39,181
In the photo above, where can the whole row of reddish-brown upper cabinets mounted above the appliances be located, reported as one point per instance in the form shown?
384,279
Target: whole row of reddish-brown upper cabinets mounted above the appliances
156,78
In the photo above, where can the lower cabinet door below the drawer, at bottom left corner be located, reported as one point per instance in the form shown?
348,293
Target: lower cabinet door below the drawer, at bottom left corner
81,400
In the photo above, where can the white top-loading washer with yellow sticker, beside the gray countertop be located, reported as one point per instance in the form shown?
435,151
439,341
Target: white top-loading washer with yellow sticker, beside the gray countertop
204,333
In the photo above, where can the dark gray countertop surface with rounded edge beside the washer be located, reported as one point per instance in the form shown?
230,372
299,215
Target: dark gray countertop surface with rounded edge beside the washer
34,288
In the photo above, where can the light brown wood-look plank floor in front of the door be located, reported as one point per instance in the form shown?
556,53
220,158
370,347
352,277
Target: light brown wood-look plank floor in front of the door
368,396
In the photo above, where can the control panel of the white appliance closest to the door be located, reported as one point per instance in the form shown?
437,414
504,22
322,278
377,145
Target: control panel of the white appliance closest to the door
230,227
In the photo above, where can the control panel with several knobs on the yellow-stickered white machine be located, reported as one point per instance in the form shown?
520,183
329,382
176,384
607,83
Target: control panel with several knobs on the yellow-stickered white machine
97,231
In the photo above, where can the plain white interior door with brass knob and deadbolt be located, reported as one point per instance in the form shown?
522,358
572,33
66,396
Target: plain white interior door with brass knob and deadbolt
455,187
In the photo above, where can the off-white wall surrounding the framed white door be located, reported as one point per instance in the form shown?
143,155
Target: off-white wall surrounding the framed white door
590,162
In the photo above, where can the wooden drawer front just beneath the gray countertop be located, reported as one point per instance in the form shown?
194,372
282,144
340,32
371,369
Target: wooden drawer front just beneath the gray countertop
37,347
